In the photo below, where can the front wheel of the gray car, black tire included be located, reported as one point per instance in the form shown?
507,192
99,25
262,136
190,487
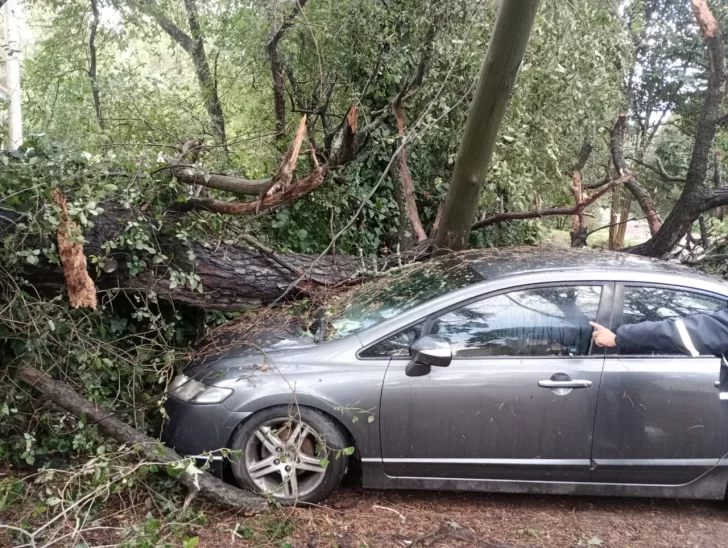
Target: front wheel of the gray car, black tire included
279,462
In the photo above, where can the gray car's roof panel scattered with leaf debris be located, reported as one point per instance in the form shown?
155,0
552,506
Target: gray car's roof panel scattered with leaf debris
506,262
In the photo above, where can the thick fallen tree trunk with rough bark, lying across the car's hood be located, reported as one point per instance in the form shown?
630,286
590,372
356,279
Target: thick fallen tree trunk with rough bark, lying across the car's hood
233,277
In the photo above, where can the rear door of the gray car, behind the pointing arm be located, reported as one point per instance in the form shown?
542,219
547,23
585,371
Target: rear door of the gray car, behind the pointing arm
659,417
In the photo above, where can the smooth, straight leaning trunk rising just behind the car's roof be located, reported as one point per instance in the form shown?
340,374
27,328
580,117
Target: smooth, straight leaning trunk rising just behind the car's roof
497,76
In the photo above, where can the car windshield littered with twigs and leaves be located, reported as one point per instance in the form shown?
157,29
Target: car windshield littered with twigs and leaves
392,294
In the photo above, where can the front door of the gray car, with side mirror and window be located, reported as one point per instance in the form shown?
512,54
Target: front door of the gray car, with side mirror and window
518,400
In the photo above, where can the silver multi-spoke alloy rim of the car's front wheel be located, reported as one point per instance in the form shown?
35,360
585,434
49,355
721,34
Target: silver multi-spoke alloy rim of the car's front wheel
281,458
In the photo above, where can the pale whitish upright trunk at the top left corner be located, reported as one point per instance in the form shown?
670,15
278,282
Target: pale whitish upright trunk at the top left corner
12,75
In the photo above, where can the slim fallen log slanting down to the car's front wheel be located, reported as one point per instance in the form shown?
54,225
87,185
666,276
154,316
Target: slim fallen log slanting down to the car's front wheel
205,485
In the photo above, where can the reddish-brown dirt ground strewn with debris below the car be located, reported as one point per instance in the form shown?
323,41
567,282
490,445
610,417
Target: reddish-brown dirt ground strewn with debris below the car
354,519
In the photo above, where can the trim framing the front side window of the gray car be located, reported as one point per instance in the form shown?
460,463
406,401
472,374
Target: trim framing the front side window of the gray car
606,300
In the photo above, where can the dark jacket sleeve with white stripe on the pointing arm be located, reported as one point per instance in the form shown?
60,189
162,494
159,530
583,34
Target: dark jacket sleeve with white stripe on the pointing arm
701,334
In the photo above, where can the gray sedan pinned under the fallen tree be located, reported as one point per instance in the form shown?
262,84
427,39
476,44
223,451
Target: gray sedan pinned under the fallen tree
473,372
